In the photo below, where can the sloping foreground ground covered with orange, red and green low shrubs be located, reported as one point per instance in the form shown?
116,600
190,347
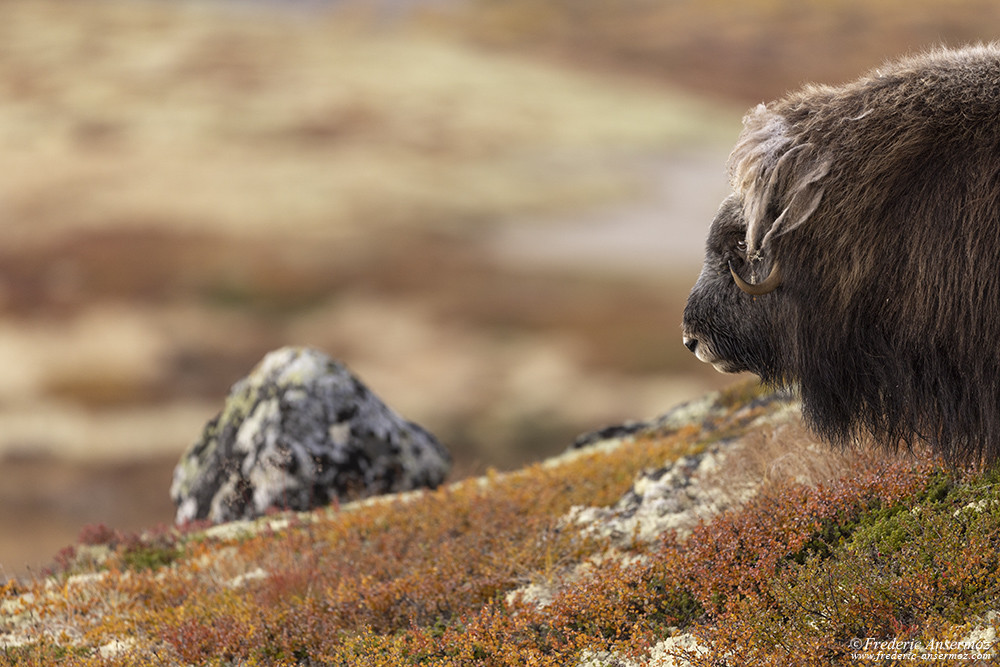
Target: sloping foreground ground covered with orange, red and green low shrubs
885,549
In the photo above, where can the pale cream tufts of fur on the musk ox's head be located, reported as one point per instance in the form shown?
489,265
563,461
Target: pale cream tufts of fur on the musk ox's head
768,160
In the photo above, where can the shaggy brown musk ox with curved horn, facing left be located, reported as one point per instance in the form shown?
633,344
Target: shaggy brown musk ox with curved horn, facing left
858,257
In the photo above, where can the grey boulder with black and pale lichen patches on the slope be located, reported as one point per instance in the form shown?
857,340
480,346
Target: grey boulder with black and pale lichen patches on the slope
297,433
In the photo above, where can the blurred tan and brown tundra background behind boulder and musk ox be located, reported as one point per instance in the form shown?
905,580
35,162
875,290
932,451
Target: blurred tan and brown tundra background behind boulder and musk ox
491,210
